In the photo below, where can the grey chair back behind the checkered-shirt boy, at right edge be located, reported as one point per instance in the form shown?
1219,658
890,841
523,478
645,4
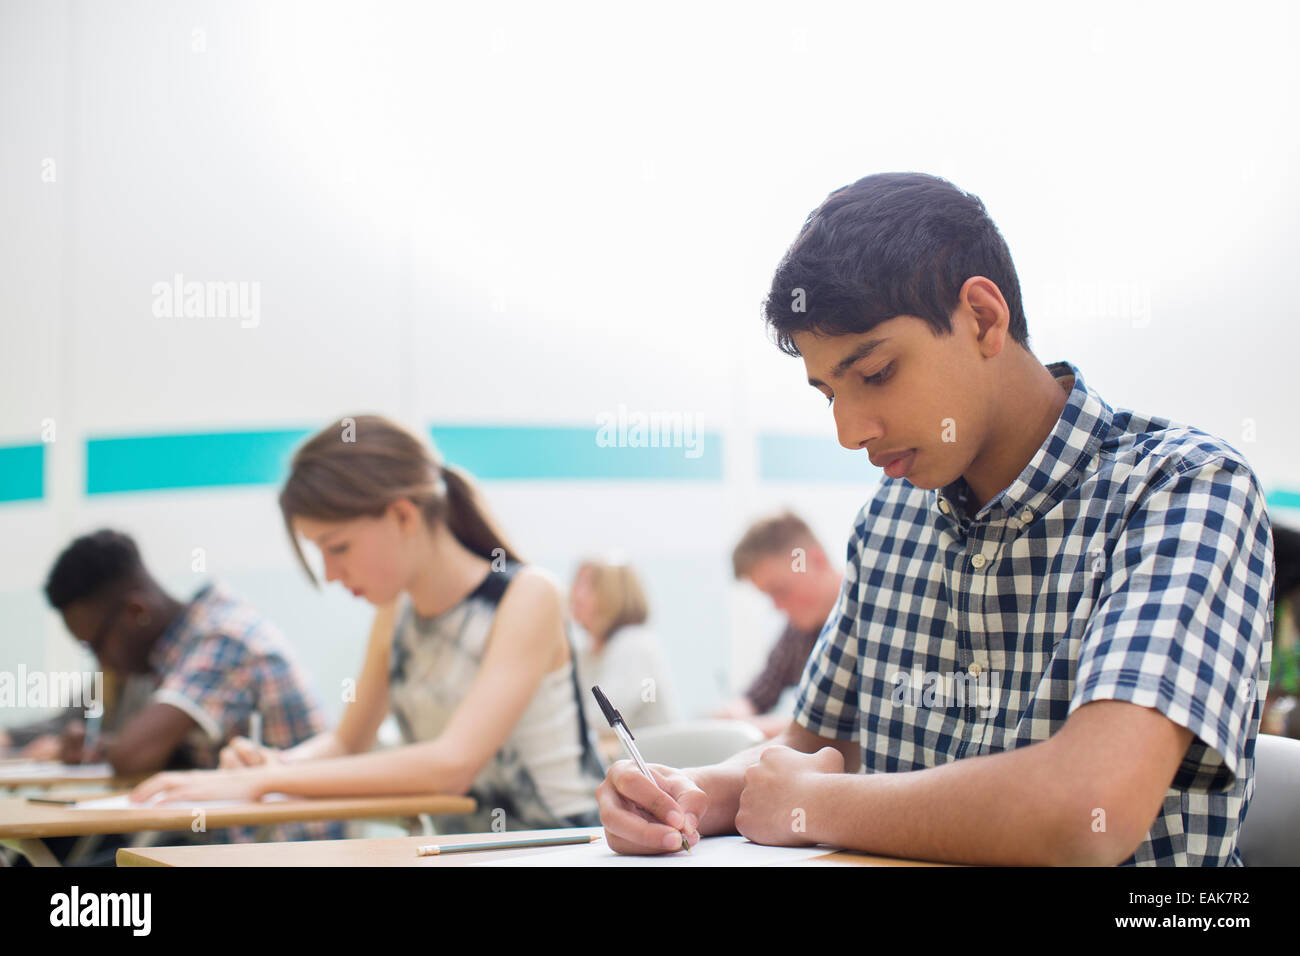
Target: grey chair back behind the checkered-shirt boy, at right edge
1271,833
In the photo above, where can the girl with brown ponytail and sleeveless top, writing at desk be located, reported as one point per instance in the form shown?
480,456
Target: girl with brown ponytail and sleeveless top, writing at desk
469,647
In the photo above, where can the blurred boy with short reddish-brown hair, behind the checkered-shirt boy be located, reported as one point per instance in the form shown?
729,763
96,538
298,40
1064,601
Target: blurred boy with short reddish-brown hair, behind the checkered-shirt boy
781,557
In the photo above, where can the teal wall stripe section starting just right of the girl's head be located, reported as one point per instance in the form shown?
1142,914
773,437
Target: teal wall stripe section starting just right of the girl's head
564,453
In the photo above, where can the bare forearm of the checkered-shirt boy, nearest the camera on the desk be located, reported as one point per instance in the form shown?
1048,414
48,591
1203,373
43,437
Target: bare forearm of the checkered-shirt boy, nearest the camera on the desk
1012,808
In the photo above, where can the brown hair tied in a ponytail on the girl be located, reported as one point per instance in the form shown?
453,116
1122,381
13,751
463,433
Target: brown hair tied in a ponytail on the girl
359,466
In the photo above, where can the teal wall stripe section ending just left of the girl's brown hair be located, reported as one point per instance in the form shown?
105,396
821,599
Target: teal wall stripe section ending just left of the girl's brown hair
213,460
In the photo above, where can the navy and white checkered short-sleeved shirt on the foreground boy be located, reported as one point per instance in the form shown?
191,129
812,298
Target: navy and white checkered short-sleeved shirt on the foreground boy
1132,560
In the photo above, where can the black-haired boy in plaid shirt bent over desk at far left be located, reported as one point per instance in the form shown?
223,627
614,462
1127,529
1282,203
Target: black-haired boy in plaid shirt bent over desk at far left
214,663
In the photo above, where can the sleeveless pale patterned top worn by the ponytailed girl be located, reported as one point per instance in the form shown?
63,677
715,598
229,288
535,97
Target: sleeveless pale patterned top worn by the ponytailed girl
547,772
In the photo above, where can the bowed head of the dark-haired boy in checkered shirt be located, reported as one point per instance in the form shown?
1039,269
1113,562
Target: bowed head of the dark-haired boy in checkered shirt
900,295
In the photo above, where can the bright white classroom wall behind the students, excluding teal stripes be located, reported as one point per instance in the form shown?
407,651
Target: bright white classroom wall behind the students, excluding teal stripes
535,213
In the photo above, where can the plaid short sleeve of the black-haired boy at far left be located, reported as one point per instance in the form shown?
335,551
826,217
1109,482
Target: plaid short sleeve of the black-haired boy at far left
214,685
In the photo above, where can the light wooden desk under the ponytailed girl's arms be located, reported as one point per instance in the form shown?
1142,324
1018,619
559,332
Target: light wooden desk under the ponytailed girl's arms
23,824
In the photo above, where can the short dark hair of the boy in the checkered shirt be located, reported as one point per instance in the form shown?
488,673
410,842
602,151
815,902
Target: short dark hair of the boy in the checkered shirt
890,245
